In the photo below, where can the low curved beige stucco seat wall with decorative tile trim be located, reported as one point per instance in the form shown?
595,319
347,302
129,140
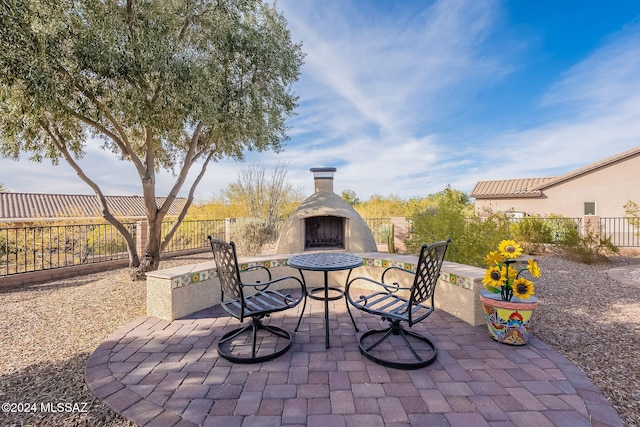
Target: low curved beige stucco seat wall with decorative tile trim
177,292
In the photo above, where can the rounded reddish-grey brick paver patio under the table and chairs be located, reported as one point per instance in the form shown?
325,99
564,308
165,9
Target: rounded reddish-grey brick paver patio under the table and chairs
159,373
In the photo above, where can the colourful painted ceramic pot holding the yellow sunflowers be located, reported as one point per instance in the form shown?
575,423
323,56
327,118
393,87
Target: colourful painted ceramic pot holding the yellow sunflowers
509,322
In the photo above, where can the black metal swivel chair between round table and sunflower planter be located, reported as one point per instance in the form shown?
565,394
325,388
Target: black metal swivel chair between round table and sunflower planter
395,346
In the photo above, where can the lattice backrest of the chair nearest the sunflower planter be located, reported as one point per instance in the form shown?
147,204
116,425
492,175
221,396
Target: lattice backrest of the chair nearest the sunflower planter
428,271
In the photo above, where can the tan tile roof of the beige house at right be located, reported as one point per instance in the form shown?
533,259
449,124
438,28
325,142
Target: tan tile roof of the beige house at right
532,187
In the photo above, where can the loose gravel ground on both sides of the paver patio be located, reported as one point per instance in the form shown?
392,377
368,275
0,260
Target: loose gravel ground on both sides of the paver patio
49,330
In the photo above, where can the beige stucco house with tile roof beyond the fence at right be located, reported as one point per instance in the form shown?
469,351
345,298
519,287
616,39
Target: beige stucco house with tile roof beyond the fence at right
600,189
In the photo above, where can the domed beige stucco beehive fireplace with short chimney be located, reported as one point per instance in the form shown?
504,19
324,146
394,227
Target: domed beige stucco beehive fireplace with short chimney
324,221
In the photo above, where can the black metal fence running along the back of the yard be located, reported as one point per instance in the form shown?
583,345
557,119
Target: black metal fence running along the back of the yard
35,248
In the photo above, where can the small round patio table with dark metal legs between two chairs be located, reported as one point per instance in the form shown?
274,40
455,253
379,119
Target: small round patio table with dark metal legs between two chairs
325,262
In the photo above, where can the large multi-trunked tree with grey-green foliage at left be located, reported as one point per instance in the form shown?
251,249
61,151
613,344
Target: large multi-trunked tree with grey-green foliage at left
166,84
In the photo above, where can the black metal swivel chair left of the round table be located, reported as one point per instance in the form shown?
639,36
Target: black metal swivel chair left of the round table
255,342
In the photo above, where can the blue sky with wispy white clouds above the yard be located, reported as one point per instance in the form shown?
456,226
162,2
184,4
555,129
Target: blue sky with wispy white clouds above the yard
407,97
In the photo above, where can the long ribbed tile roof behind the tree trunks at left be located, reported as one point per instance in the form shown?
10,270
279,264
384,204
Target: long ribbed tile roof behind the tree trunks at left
29,207
